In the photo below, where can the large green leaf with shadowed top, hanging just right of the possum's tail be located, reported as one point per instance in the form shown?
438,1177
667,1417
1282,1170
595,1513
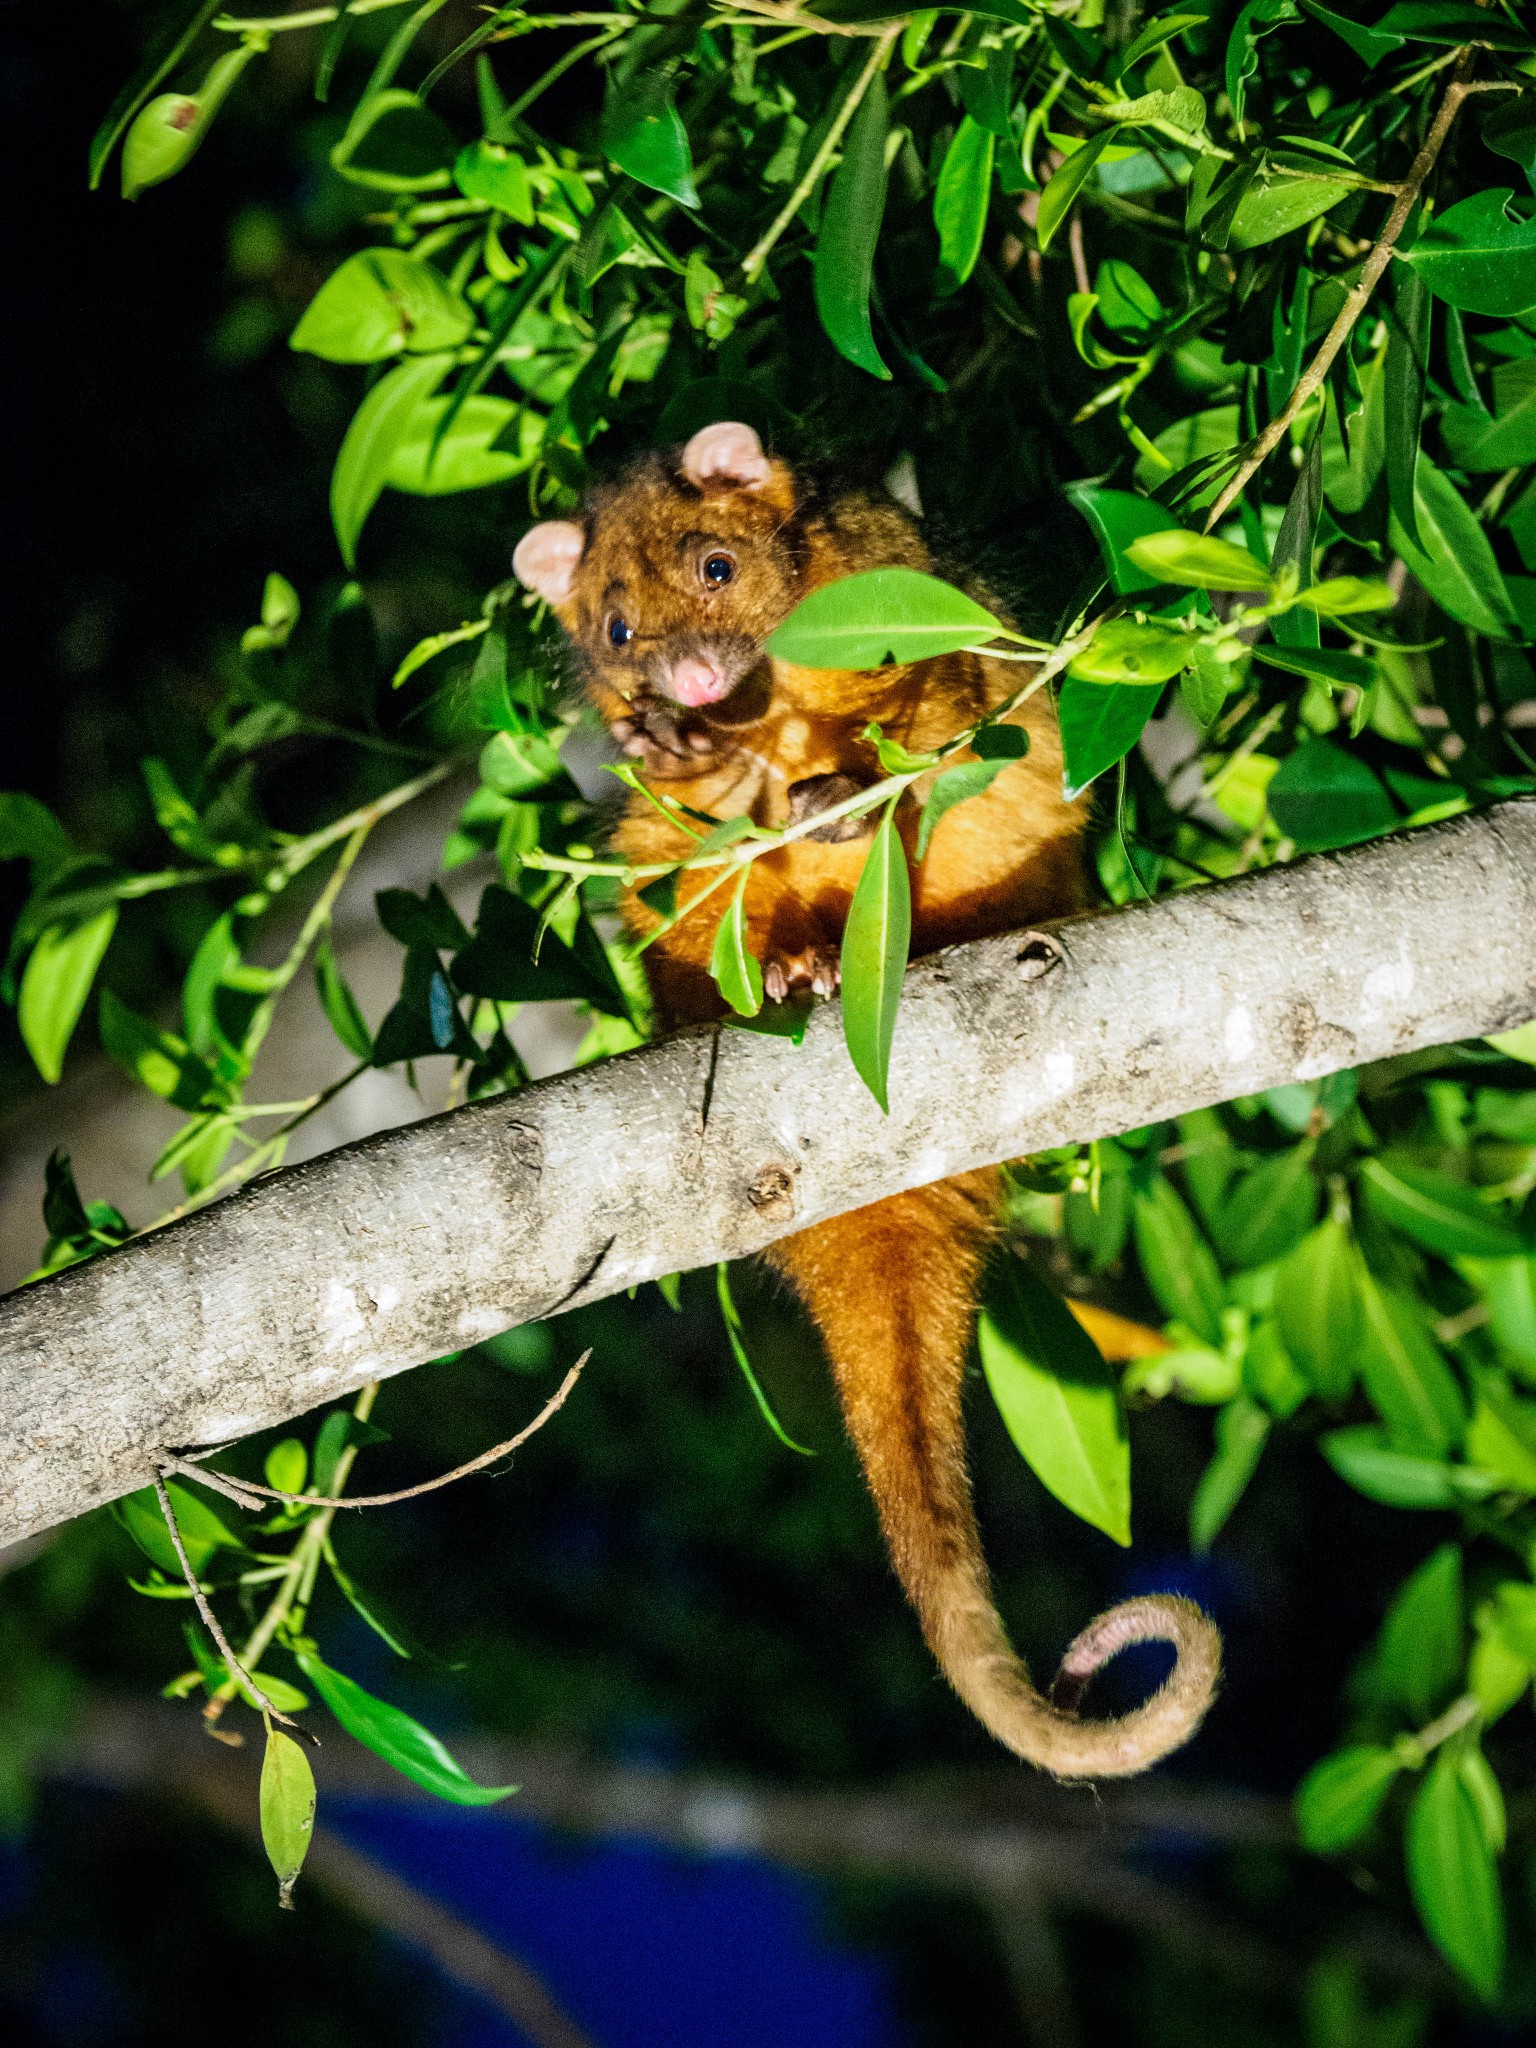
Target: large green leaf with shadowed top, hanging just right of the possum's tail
1058,1400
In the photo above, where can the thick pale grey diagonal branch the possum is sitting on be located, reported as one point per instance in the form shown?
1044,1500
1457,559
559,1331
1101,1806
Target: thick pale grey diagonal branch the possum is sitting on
714,1144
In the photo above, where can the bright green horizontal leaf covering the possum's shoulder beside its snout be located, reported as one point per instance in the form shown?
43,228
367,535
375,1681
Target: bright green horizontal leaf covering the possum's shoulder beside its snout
882,615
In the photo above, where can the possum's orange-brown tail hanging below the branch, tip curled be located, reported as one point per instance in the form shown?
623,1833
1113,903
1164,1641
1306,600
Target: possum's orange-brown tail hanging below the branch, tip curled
894,1293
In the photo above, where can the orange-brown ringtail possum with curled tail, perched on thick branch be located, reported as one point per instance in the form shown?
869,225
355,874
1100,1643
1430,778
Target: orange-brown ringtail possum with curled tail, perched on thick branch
669,587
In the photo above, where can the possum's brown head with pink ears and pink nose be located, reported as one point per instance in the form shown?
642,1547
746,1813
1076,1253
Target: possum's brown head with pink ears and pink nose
675,577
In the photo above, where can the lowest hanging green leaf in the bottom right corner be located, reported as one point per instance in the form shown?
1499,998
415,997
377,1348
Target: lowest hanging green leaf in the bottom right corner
1453,1877
